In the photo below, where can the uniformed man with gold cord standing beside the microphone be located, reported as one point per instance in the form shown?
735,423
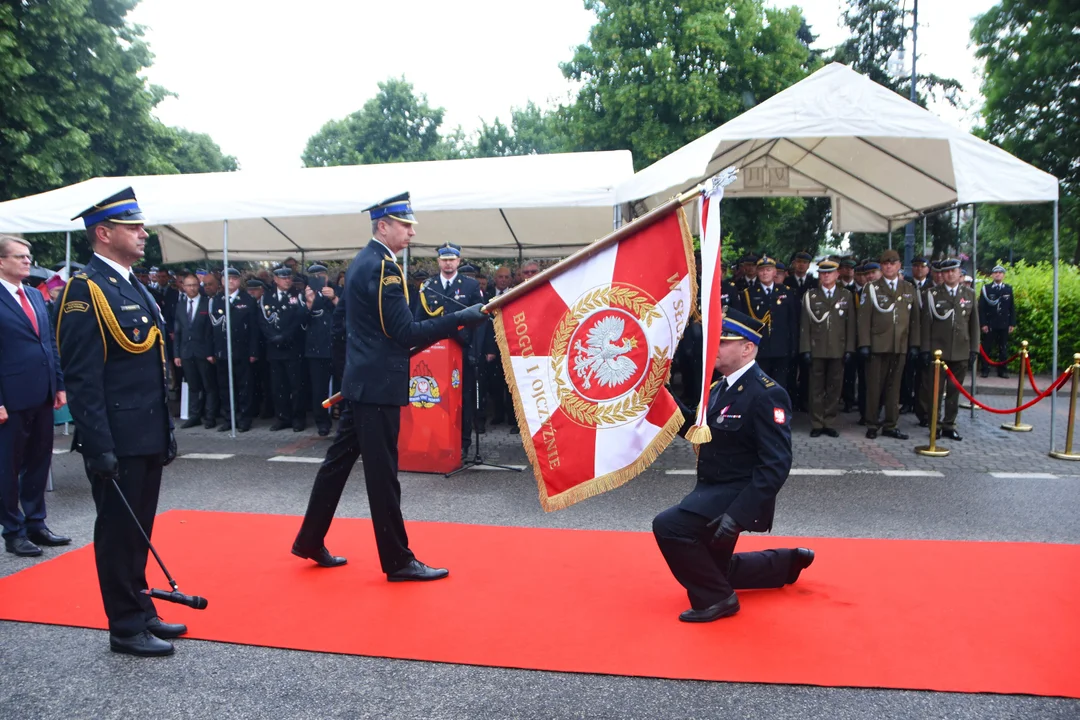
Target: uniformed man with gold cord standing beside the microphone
113,355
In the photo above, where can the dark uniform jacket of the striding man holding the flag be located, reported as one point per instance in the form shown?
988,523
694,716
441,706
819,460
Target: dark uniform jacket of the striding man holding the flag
381,330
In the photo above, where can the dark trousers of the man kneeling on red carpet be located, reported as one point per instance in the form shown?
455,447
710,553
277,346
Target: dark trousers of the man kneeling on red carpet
711,573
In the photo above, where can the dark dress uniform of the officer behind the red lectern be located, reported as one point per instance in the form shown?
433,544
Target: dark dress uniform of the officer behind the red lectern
440,296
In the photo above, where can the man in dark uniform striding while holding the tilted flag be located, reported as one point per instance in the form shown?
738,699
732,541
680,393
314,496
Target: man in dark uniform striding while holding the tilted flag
382,332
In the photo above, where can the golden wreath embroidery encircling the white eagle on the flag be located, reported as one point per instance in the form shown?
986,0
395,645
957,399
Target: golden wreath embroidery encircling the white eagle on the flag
637,403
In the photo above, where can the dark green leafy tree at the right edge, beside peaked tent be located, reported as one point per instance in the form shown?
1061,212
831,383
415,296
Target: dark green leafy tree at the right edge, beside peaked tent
1032,86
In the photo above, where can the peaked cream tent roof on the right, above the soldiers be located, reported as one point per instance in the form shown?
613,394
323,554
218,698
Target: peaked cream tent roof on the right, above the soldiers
882,159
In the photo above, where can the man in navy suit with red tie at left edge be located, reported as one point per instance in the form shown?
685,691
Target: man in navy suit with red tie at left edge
32,386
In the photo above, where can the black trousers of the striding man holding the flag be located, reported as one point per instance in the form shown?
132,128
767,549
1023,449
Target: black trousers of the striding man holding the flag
370,431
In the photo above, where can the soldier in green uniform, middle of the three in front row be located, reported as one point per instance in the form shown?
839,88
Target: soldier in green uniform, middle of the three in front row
888,332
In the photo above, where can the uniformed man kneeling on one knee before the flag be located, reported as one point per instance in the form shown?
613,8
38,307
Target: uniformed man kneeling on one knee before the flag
740,471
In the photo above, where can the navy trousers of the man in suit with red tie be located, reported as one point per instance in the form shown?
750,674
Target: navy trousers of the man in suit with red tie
26,455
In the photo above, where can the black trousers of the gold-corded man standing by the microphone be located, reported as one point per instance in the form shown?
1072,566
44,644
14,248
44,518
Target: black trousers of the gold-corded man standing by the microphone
119,549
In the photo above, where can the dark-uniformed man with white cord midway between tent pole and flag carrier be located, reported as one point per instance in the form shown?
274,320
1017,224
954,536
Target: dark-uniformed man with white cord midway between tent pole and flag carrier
282,316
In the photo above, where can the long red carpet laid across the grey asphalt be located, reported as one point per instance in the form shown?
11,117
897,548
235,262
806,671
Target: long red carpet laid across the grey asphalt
882,614
